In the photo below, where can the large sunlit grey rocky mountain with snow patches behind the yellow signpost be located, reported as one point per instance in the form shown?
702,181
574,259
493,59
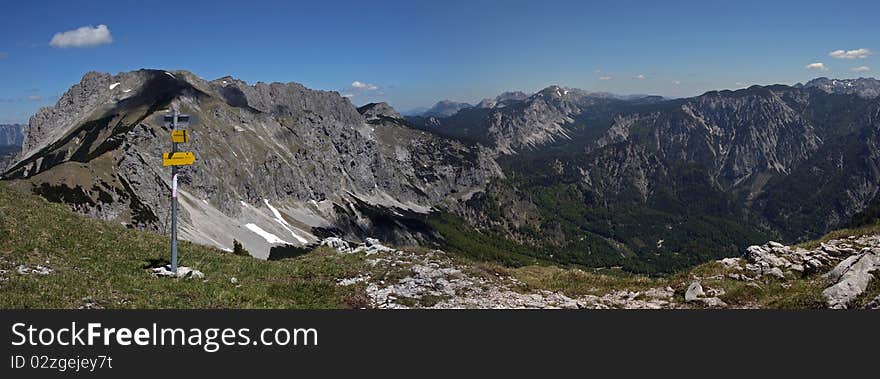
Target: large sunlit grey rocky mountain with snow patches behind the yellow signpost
277,165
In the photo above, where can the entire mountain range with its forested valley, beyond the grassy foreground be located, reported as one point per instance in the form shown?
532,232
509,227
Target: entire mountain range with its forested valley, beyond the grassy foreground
573,176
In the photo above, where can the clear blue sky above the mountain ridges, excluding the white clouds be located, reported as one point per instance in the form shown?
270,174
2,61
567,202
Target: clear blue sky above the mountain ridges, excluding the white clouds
412,54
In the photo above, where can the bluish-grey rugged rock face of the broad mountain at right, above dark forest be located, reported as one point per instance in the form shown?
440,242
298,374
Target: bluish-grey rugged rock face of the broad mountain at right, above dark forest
734,137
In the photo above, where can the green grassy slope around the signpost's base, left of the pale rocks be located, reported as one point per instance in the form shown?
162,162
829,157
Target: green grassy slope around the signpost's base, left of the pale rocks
107,262
